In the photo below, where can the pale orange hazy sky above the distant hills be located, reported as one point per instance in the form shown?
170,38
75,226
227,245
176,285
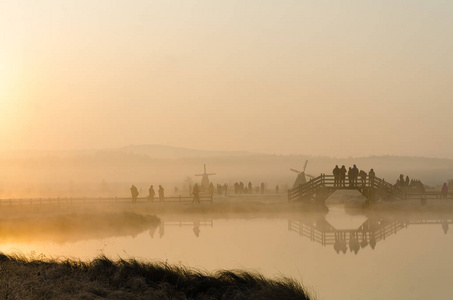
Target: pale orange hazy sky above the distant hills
339,78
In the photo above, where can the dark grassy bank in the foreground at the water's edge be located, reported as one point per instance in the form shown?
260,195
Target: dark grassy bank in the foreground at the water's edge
107,279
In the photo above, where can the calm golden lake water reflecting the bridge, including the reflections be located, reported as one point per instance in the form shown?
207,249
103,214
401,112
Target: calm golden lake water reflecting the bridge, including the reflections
334,255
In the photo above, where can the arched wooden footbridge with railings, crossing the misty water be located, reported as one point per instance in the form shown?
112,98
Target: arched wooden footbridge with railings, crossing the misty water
321,187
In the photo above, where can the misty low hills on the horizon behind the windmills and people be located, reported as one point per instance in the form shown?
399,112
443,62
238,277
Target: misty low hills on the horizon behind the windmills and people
105,173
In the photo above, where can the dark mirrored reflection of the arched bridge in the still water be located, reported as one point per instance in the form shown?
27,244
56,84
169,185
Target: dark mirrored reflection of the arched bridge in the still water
370,232
